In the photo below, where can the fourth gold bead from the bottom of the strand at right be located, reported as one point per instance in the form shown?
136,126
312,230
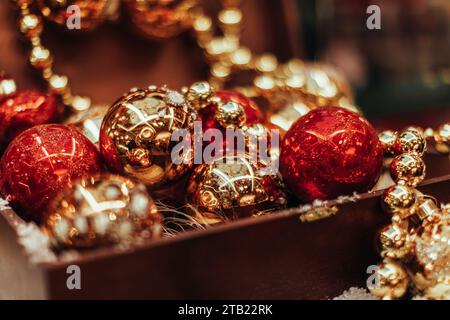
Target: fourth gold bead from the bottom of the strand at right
408,168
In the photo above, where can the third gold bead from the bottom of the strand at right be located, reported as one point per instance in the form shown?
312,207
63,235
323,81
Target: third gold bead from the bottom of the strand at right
399,200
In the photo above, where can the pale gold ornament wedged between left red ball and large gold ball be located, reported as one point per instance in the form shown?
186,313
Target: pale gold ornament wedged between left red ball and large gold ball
89,122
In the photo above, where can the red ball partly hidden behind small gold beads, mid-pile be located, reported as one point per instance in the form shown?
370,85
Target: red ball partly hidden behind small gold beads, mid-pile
251,109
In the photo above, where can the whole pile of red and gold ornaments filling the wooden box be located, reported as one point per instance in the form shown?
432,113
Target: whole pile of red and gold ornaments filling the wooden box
90,191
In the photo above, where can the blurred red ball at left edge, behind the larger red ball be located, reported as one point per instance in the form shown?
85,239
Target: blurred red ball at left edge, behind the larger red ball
24,110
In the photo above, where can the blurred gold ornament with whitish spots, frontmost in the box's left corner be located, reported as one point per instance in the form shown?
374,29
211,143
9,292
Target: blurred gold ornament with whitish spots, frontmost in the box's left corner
101,209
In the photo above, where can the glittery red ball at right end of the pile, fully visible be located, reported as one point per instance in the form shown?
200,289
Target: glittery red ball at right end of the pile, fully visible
330,152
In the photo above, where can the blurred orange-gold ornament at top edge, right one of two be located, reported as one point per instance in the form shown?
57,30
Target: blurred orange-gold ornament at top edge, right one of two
161,19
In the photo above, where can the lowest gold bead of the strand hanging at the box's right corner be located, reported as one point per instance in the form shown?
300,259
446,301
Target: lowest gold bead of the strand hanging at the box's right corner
392,281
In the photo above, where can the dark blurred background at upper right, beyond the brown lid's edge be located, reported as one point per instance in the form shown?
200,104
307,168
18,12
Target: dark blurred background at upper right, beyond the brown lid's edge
403,67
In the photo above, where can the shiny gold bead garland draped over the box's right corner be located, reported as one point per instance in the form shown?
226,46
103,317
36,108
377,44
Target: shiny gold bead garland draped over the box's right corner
416,245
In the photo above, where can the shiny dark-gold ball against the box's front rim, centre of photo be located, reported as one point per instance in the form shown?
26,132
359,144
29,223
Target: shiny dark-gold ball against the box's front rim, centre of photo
233,187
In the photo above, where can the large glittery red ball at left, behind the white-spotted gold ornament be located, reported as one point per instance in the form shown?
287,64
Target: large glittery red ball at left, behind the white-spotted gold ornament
42,161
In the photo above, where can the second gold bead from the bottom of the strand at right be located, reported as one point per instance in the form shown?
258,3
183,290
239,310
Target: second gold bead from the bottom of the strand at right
395,242
